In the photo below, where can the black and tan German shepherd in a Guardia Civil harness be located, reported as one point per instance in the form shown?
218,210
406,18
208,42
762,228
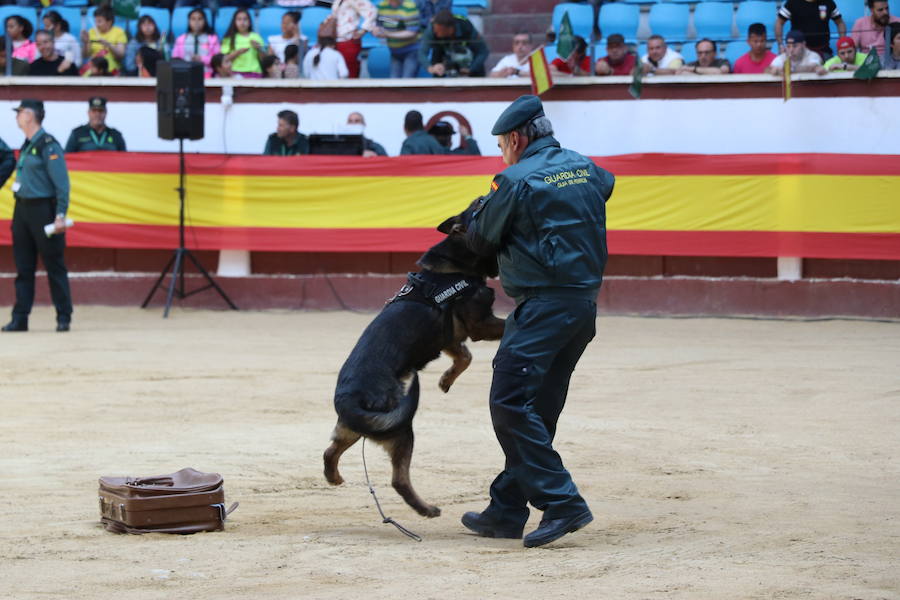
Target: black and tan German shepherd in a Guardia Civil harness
377,393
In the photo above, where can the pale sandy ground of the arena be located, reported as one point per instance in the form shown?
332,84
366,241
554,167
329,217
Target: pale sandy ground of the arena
722,459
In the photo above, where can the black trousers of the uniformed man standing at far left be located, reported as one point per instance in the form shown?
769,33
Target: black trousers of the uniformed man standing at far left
29,218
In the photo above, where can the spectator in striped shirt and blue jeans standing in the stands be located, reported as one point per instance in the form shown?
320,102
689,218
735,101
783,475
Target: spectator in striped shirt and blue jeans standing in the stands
398,22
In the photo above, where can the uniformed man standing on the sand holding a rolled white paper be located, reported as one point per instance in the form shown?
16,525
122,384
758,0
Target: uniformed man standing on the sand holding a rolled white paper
42,197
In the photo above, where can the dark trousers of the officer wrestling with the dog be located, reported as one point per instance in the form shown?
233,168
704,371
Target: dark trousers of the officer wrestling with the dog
543,341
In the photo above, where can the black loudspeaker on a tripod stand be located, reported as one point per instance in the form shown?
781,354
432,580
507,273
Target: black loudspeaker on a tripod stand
180,99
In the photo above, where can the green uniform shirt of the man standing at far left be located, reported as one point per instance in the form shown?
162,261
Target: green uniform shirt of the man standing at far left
41,171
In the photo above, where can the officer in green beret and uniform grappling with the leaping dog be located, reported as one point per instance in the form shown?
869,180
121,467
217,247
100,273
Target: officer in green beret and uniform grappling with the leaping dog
545,217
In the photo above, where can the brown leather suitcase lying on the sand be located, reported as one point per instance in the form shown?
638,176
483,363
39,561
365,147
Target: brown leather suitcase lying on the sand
184,502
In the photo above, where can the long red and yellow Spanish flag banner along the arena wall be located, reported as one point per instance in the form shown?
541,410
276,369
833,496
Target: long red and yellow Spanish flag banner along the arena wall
808,205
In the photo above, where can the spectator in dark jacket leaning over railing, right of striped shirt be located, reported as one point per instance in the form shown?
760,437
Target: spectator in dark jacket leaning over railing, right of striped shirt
455,46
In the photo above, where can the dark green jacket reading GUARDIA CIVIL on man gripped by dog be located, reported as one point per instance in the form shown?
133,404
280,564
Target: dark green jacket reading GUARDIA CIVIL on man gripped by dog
546,218
